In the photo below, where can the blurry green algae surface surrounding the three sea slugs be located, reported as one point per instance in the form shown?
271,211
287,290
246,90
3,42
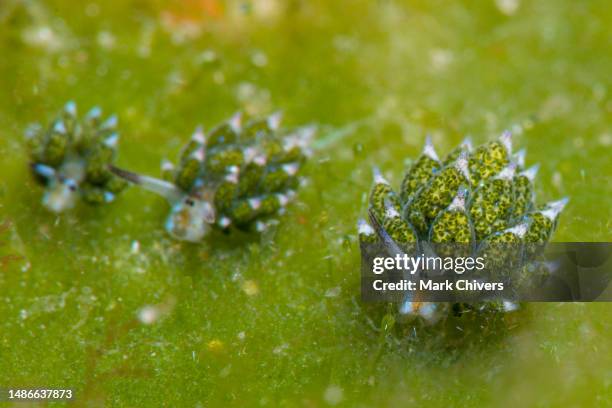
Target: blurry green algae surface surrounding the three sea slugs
276,320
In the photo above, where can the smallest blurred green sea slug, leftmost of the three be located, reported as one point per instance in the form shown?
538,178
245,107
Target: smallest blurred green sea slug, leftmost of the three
71,156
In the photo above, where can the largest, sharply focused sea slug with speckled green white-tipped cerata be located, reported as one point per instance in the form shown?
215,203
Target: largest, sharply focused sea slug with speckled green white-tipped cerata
476,197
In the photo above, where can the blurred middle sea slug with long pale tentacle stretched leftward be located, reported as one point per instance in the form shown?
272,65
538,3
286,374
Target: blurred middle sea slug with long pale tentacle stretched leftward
234,176
